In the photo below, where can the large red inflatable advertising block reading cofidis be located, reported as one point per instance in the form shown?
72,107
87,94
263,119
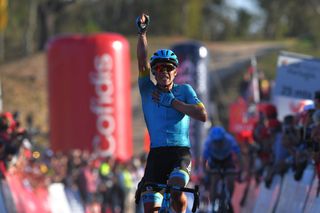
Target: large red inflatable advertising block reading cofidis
89,94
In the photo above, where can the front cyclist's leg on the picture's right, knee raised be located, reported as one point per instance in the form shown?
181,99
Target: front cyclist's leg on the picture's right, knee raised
180,176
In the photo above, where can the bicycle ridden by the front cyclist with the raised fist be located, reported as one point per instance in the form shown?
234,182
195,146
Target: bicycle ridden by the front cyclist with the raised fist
165,205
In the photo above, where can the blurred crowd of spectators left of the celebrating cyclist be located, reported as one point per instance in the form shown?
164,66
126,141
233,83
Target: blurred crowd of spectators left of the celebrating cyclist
104,184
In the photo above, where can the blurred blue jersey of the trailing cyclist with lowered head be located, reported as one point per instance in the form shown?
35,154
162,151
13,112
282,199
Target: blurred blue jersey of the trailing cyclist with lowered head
211,151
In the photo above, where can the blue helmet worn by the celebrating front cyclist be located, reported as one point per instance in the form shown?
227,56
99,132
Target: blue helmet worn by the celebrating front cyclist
164,55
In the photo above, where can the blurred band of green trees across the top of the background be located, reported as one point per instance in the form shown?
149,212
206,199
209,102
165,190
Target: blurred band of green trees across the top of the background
198,19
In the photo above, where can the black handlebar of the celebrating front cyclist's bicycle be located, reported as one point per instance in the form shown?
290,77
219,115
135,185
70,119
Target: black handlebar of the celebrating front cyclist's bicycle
194,191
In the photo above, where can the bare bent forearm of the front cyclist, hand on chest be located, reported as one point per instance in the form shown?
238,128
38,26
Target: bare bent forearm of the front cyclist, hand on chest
196,111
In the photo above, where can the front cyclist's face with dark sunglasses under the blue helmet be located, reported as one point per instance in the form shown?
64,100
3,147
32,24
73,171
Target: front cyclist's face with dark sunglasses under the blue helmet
164,73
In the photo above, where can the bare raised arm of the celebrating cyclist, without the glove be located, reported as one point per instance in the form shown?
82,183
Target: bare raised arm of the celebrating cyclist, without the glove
142,53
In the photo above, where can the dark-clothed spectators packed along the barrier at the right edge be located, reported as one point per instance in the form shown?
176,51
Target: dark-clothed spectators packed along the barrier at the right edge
292,143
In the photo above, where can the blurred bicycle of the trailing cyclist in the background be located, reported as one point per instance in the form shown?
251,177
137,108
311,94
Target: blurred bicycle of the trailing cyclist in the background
222,203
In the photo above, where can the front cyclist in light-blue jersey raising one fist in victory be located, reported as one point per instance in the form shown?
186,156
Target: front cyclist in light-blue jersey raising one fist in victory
167,108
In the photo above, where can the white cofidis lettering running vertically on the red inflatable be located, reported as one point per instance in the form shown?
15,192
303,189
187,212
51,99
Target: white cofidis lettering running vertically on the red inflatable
102,104
